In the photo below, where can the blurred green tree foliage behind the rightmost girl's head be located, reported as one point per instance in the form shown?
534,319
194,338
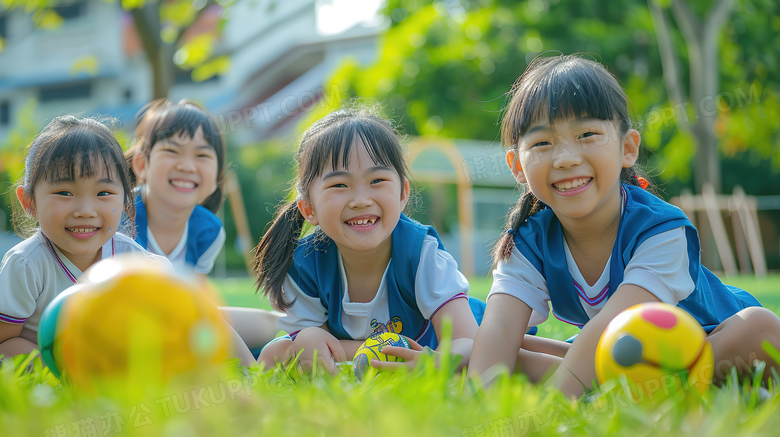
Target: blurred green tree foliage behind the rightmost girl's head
444,70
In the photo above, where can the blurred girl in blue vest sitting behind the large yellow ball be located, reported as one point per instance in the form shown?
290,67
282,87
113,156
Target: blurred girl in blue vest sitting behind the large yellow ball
178,165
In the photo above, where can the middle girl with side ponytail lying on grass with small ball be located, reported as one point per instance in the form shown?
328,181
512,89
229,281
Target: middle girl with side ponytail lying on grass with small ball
366,268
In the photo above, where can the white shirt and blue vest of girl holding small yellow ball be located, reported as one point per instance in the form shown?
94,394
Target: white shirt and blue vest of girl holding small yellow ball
420,278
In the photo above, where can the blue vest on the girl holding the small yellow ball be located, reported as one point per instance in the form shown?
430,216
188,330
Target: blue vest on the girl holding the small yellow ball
315,270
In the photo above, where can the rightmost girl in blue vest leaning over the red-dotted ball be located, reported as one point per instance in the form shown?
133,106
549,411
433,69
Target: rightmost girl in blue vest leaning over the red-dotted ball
589,240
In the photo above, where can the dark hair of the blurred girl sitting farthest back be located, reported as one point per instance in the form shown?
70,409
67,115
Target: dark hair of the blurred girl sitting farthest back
162,119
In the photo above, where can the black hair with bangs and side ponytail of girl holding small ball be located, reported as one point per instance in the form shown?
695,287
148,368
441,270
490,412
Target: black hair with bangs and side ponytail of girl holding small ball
327,142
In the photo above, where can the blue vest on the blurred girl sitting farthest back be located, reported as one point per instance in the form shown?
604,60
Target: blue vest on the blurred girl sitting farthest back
203,228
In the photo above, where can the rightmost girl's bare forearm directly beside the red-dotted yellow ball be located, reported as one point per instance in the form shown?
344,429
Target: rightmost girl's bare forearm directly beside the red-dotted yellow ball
579,363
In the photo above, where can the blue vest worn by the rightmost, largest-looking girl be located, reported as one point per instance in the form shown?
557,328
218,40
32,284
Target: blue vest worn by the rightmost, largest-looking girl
540,240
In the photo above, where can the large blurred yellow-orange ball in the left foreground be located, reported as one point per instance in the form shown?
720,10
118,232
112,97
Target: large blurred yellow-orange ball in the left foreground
132,318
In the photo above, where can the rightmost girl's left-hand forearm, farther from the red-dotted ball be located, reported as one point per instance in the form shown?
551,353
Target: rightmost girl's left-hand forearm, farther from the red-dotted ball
501,334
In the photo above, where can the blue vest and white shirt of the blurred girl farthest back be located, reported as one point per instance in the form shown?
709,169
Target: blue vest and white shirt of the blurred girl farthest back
200,243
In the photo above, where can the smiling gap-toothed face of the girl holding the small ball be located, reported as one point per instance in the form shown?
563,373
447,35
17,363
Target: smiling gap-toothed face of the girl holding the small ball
357,208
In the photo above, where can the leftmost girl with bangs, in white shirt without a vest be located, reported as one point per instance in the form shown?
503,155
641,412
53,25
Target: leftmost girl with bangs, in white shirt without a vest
72,198
